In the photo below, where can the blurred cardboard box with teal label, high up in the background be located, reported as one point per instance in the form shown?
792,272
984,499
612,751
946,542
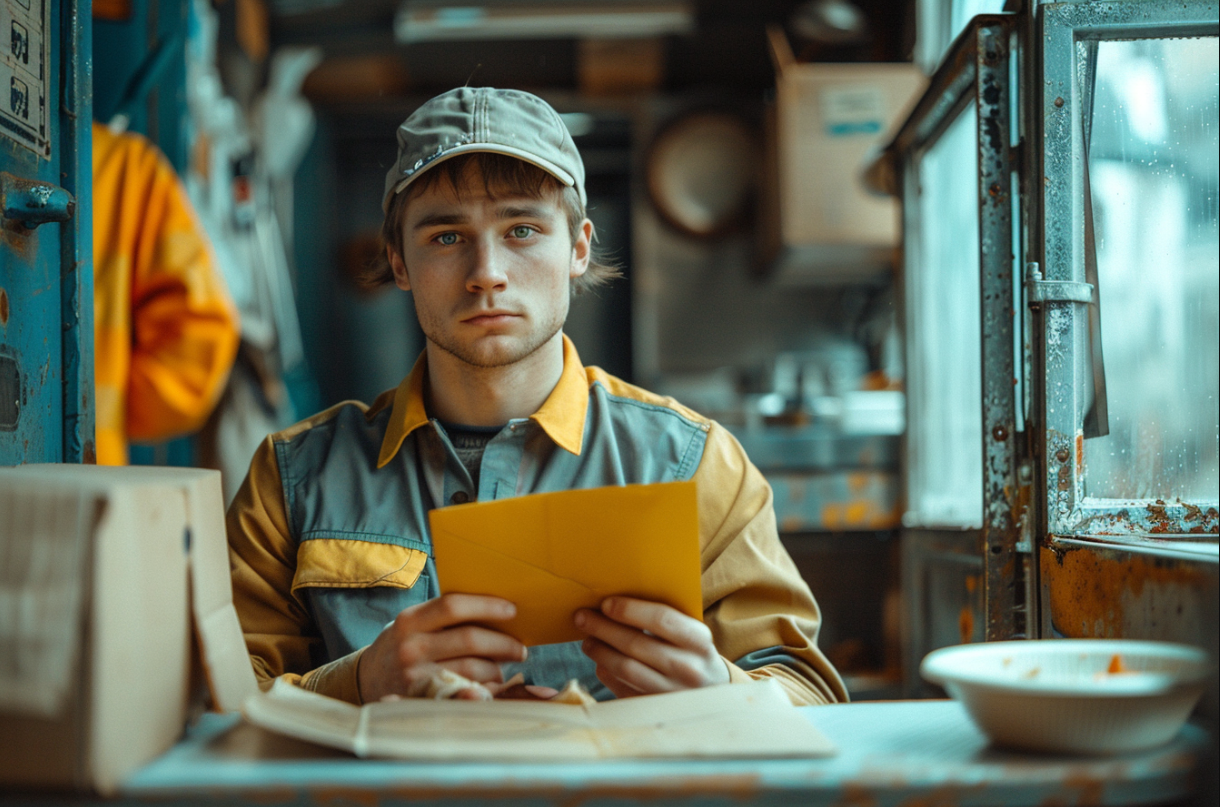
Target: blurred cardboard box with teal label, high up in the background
829,121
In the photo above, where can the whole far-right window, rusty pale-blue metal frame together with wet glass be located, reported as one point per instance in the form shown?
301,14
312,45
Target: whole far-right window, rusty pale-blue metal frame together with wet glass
1129,140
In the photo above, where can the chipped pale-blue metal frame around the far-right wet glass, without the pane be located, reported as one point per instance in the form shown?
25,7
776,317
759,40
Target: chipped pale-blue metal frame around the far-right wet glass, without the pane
1062,325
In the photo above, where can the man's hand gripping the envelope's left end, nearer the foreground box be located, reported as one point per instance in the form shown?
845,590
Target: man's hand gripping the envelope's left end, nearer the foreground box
440,634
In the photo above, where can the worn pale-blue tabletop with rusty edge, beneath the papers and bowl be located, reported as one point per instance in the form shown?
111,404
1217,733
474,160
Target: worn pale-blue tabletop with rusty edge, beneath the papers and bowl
908,753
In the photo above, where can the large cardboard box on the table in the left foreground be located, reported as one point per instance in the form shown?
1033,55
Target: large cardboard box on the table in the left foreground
102,571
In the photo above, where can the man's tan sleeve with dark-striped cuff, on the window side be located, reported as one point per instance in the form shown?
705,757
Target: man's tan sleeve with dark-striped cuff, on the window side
762,615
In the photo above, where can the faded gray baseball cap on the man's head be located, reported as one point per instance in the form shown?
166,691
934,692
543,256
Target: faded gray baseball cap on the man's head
485,119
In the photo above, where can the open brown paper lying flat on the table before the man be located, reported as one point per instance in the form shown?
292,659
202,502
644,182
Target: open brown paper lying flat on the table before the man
734,721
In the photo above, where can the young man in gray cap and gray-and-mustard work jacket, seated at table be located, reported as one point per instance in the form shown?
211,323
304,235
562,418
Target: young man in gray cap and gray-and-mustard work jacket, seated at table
334,576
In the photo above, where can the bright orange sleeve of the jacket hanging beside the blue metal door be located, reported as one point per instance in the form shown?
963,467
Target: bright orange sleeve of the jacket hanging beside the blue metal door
185,328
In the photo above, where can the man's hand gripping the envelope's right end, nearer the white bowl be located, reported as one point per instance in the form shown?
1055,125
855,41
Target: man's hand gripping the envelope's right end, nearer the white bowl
644,648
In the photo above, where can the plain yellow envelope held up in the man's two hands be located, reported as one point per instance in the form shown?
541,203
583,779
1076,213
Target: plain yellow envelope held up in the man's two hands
552,554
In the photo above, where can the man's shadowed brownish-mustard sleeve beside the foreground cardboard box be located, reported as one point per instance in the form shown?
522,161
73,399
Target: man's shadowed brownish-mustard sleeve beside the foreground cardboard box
280,634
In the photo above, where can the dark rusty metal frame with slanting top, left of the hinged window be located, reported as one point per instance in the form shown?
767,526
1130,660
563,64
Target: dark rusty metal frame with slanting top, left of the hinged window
978,70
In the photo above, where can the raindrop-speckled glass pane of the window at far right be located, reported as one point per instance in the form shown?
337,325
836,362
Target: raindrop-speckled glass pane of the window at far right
1154,168
